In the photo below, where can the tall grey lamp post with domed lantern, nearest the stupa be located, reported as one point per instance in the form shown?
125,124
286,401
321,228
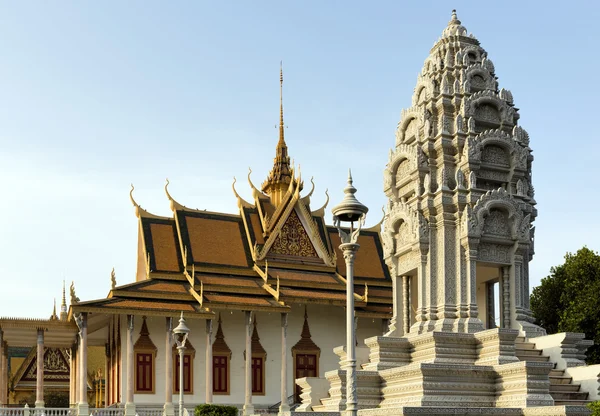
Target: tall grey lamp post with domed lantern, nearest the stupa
349,211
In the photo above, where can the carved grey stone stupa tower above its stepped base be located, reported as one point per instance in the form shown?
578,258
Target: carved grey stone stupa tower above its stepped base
461,201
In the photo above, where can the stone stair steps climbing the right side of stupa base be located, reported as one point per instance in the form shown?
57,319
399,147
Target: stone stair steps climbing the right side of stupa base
562,388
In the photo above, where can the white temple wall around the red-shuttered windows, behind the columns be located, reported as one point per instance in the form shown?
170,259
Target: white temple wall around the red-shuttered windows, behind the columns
327,326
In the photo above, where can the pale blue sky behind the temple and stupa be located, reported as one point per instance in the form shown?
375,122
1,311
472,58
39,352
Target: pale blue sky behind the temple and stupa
95,96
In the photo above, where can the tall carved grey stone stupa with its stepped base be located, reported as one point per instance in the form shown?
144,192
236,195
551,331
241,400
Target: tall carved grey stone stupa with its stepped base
458,239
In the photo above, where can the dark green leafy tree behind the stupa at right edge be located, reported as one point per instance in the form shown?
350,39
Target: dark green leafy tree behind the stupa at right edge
568,301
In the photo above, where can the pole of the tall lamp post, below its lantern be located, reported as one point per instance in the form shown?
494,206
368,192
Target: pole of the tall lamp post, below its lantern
349,251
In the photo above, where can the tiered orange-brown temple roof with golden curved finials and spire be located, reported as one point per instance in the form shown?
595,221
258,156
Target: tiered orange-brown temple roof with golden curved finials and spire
274,253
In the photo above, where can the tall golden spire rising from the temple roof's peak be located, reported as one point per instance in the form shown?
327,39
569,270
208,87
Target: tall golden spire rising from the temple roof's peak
280,175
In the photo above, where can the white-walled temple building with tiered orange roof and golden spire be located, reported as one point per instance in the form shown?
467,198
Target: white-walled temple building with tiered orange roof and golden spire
271,277
